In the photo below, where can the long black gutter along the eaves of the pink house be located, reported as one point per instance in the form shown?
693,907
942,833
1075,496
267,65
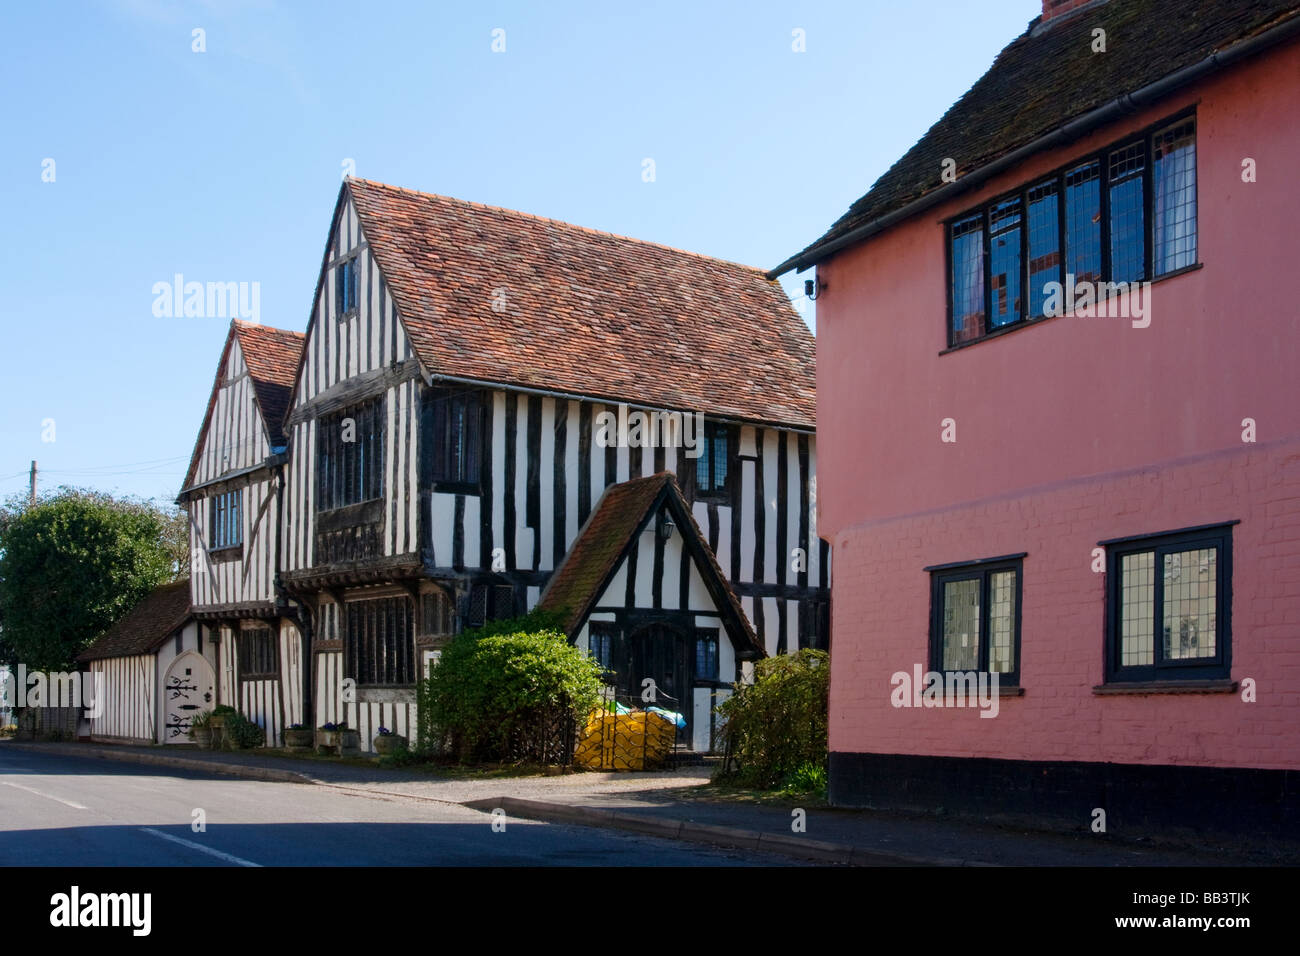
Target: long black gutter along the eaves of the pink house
1123,106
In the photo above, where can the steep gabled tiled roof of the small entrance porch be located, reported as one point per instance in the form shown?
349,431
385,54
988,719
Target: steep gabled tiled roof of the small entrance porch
605,540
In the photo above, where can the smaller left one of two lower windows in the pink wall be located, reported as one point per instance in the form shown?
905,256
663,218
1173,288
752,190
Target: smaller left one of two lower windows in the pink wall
976,618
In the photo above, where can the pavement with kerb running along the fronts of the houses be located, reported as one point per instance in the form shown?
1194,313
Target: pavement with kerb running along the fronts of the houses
670,806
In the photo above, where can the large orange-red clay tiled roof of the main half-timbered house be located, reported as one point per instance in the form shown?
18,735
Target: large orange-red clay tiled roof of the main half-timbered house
587,313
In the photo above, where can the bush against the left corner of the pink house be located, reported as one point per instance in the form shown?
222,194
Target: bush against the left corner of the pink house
777,728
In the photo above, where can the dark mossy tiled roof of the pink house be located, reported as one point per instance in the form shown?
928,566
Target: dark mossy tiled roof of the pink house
1048,77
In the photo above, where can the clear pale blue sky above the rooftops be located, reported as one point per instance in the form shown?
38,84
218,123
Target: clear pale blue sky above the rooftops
224,166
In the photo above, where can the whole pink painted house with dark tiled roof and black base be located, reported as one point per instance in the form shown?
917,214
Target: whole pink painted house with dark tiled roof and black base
1100,505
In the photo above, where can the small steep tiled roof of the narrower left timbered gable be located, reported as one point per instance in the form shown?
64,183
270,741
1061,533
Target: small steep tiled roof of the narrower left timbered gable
272,358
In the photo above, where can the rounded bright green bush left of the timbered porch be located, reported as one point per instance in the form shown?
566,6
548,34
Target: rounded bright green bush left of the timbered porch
502,690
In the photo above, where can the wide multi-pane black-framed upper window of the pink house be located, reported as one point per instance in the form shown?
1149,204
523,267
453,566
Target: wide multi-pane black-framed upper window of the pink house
1124,215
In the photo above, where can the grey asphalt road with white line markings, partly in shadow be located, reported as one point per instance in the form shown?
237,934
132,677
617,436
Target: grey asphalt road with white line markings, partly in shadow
59,811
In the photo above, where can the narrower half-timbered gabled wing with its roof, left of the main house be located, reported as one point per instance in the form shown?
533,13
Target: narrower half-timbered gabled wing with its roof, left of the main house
233,494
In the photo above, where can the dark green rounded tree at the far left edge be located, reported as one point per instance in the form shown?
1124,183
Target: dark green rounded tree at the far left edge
73,564
